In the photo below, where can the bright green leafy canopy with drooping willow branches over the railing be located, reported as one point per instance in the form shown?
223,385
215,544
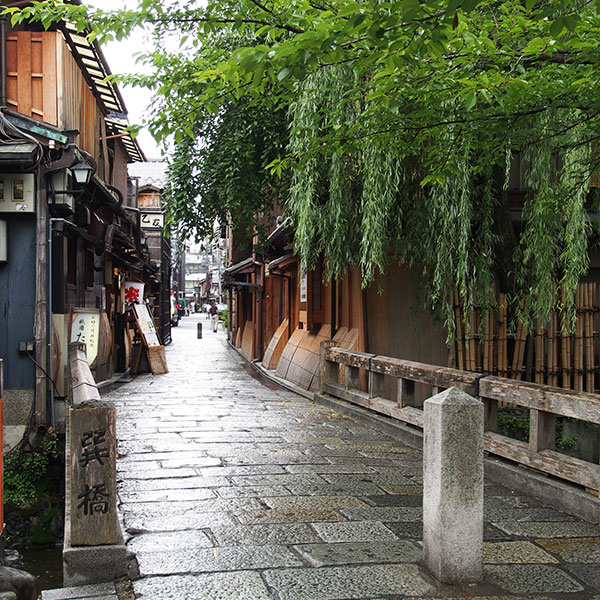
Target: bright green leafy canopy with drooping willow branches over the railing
404,118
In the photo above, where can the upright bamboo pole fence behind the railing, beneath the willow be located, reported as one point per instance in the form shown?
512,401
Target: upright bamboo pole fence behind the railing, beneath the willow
547,355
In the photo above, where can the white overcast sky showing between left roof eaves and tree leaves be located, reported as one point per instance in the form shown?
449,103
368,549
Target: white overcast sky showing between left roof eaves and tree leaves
120,59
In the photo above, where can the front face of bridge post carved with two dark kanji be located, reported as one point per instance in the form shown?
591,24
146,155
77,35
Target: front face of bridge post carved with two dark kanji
93,484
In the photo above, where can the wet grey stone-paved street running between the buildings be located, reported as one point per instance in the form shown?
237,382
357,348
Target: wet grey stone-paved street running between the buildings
231,488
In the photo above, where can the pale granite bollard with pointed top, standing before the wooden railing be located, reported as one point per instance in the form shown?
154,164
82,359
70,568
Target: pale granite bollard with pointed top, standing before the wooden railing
453,487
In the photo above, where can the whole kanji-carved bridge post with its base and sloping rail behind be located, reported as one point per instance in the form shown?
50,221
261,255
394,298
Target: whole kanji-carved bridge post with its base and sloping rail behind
94,550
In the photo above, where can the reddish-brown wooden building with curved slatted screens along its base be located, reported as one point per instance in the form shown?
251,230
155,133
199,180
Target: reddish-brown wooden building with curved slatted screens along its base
280,313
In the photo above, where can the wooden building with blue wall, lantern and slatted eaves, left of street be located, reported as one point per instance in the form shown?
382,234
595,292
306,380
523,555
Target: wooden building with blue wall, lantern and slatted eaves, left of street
59,120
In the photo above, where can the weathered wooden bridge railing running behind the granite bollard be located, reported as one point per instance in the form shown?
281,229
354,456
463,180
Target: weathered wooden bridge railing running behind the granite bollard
545,403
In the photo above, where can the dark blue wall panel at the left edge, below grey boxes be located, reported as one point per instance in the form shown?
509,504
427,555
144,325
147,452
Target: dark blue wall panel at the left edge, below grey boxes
17,301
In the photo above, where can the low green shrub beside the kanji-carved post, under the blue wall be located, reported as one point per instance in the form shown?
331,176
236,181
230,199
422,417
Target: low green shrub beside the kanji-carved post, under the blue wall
25,472
